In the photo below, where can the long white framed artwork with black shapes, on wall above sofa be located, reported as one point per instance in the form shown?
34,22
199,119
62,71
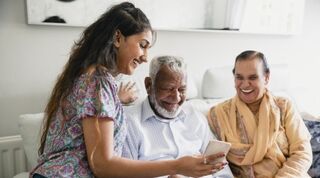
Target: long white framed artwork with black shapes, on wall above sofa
248,16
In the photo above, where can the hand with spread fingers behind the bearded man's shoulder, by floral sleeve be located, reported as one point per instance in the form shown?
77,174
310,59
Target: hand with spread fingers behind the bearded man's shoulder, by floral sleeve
127,92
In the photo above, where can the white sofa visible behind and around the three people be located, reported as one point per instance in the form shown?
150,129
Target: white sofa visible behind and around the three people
217,85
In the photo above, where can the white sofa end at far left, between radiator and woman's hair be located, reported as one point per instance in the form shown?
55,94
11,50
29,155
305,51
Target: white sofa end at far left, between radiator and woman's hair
29,126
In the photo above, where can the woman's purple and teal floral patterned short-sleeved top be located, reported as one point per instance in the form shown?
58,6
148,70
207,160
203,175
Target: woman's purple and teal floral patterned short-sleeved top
64,153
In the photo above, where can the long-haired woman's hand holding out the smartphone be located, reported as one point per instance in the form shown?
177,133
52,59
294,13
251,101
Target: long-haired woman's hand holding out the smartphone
198,166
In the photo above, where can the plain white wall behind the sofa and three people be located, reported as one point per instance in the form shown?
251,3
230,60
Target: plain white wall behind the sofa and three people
32,56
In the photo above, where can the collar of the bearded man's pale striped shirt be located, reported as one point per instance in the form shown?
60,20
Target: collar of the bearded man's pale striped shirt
147,113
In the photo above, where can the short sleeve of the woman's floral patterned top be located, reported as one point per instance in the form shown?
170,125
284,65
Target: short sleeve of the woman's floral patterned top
96,96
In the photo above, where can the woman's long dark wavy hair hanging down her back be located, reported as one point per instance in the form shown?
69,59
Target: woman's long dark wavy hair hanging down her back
94,48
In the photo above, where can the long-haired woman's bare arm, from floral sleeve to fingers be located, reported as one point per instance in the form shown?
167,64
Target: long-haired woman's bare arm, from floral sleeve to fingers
98,134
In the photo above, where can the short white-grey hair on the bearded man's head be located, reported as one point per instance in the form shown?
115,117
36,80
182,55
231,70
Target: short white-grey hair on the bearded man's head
175,63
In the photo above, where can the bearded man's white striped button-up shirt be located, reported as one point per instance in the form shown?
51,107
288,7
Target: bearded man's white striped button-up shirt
151,137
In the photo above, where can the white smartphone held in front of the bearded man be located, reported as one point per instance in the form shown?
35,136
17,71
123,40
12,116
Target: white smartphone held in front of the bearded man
216,146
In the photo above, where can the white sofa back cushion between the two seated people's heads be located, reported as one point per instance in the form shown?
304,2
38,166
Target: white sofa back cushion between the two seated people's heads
218,83
